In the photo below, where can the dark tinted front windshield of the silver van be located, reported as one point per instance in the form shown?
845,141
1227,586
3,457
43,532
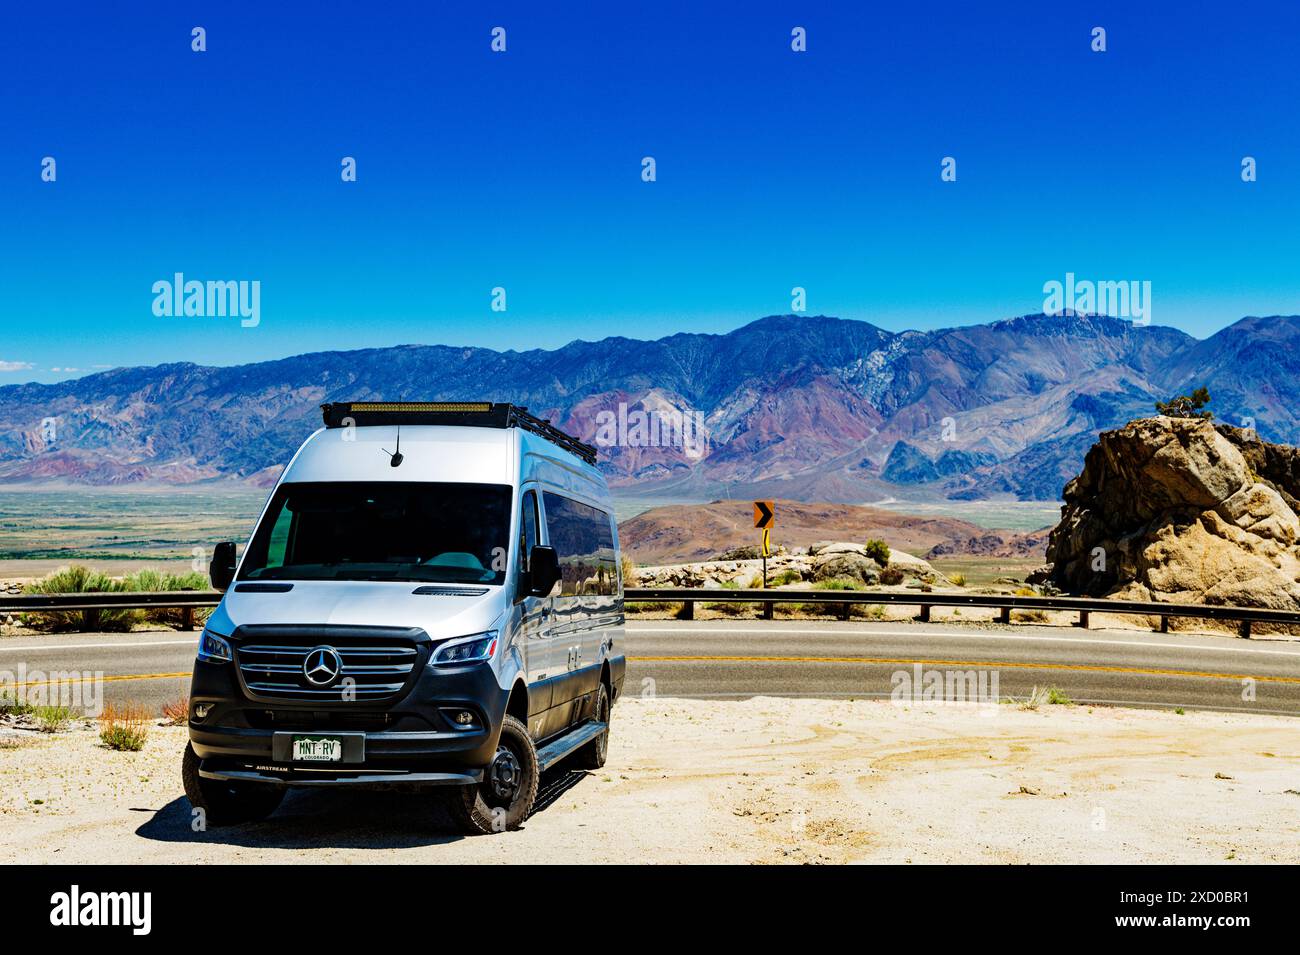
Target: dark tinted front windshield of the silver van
450,533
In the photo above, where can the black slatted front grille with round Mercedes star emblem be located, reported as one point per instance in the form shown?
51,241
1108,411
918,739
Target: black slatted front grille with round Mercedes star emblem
369,672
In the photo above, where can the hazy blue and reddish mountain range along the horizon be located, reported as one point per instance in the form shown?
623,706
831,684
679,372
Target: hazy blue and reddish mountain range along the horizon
804,409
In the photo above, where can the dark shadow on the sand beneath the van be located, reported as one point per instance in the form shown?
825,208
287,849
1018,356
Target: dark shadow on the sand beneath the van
345,819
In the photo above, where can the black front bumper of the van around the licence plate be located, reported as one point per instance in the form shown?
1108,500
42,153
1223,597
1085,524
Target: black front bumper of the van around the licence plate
411,741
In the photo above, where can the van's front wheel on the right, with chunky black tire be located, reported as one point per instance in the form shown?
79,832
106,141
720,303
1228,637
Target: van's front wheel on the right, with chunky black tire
506,796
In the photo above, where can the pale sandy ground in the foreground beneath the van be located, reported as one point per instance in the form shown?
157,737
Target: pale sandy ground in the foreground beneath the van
756,782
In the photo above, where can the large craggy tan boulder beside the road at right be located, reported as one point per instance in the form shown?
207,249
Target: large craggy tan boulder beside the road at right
1182,511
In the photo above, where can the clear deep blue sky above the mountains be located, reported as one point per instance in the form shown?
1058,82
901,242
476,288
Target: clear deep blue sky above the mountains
523,170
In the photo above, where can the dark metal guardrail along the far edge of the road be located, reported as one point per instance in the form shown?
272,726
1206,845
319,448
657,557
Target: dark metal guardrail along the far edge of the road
842,600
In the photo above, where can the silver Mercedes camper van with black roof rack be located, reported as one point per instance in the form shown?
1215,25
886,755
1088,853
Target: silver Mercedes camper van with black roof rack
432,597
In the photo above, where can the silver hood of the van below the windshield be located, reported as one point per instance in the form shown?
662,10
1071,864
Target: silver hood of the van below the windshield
440,610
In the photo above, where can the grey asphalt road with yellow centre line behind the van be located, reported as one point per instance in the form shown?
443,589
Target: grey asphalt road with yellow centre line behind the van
820,659
